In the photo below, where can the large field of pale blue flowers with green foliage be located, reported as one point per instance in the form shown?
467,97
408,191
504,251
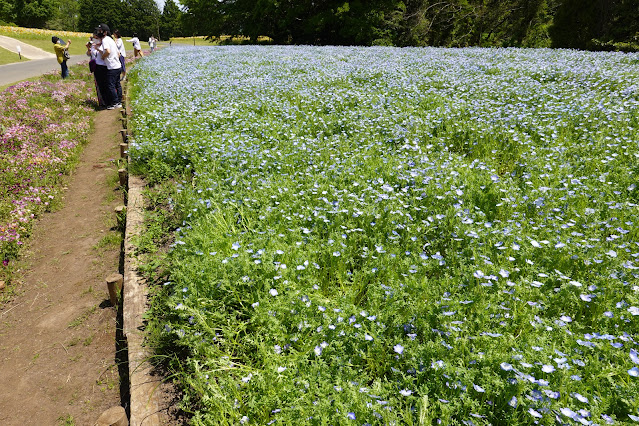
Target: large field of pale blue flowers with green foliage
397,236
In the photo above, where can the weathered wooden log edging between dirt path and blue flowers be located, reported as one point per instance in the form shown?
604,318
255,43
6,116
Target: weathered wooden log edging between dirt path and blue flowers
143,386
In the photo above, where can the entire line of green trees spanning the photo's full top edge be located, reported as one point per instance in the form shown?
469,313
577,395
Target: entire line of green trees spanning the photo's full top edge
581,24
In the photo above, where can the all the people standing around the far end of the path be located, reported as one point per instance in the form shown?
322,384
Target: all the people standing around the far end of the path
107,54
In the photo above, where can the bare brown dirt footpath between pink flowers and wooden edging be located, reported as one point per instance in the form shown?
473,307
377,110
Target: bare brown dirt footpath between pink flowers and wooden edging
58,361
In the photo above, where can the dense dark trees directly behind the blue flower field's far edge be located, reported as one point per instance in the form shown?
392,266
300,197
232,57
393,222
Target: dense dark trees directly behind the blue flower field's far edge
528,23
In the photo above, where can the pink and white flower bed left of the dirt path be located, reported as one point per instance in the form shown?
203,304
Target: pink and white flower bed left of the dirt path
42,125
